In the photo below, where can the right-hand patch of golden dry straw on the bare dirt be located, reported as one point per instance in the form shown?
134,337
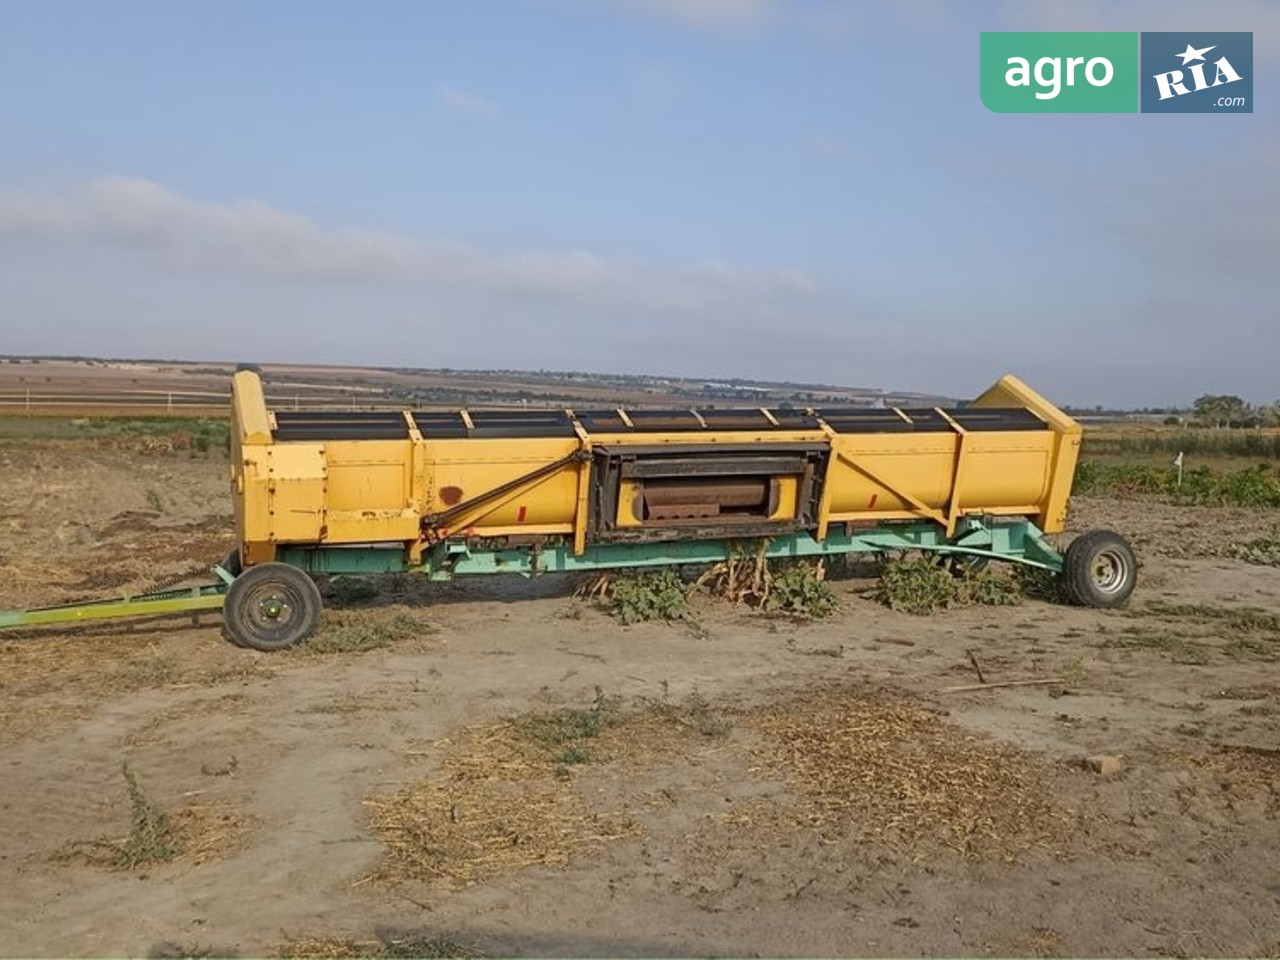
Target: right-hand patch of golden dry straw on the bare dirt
892,771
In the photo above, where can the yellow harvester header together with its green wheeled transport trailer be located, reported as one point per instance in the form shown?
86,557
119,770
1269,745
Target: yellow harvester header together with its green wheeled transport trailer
460,493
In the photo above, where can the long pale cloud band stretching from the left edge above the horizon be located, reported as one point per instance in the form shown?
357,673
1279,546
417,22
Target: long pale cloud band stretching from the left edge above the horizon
250,237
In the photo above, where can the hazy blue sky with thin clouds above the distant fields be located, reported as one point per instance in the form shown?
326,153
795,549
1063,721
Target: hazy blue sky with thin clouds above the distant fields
781,190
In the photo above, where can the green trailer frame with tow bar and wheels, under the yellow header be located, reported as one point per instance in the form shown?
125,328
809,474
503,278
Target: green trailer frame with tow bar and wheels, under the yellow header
273,606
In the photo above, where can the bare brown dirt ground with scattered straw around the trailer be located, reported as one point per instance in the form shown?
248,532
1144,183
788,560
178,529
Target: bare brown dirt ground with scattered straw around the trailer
760,787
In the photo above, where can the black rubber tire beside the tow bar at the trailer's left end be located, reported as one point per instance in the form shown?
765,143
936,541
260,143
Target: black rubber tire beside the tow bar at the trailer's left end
298,591
